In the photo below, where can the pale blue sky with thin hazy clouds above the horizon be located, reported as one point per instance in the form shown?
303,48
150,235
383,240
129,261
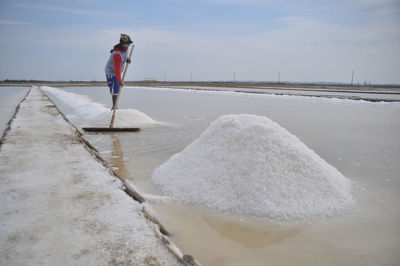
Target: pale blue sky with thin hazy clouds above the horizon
306,41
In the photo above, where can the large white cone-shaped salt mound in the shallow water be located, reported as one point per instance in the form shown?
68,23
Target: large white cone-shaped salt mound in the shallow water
249,165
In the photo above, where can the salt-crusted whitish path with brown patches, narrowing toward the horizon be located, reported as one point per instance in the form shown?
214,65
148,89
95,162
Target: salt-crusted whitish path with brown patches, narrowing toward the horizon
62,207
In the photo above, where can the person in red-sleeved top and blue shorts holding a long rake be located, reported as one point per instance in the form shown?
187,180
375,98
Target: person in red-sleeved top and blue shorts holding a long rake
115,65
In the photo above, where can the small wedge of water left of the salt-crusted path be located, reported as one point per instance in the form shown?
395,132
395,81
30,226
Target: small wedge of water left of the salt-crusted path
9,99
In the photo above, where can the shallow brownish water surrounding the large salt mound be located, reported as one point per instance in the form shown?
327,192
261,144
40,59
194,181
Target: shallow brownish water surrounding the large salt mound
360,139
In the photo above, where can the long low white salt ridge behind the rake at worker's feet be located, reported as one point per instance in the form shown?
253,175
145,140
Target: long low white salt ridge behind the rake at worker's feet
98,114
